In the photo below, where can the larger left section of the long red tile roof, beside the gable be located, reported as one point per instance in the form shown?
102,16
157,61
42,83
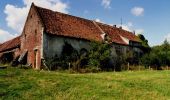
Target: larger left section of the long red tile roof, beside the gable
67,25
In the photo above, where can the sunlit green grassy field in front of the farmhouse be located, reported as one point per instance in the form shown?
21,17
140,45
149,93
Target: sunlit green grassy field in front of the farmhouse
32,85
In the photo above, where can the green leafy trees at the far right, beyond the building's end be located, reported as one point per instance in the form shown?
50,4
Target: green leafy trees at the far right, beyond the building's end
158,56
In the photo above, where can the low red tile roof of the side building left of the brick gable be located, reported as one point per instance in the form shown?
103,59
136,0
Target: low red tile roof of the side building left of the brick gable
14,43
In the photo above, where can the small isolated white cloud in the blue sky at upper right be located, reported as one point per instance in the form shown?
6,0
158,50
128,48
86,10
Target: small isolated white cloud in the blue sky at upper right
137,11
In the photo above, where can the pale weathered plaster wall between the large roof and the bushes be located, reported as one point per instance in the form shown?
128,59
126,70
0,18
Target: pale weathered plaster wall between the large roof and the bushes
53,45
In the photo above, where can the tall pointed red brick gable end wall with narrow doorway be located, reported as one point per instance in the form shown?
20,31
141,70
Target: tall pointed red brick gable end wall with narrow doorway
31,38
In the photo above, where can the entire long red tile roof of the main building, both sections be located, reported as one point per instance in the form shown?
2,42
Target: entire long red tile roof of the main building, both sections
67,25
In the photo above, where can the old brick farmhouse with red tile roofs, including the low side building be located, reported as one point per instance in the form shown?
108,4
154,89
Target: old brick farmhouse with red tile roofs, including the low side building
46,32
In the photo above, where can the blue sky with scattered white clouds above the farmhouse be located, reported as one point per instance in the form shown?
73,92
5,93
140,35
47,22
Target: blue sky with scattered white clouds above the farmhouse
148,17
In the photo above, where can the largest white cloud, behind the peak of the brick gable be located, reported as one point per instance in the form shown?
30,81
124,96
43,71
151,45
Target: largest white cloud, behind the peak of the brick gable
16,16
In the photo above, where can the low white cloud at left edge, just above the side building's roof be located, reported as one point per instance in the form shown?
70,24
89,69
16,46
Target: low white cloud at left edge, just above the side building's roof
5,36
